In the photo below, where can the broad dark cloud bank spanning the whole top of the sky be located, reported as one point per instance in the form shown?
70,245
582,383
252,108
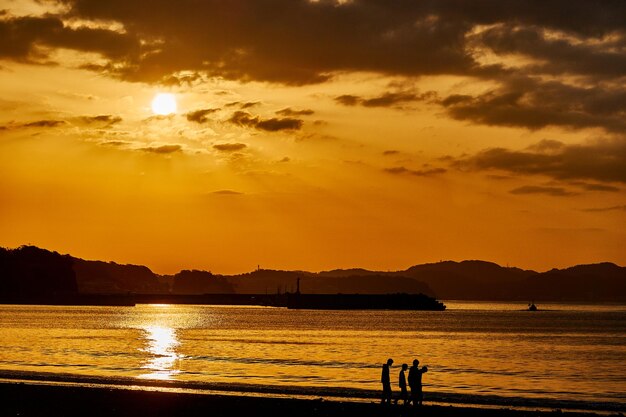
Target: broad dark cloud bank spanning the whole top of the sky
298,42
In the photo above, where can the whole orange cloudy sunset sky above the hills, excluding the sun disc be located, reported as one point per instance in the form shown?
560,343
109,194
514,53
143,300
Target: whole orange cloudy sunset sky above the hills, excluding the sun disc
315,134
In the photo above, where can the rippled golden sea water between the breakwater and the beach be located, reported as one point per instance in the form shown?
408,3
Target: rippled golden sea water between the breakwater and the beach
564,353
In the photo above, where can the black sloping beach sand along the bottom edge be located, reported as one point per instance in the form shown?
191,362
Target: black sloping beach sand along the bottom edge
27,399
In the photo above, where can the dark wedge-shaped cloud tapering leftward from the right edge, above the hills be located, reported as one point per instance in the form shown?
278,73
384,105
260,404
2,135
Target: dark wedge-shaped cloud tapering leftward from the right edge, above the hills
600,160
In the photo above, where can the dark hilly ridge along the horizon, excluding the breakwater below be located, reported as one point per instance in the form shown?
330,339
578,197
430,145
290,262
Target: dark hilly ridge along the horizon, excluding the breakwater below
29,270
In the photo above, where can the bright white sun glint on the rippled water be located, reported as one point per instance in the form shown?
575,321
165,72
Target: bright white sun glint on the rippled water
161,347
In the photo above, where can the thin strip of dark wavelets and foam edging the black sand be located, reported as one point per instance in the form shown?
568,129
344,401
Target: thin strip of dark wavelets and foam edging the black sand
299,393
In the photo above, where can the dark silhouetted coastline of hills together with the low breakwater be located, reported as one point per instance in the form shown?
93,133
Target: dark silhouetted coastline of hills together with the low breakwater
32,275
